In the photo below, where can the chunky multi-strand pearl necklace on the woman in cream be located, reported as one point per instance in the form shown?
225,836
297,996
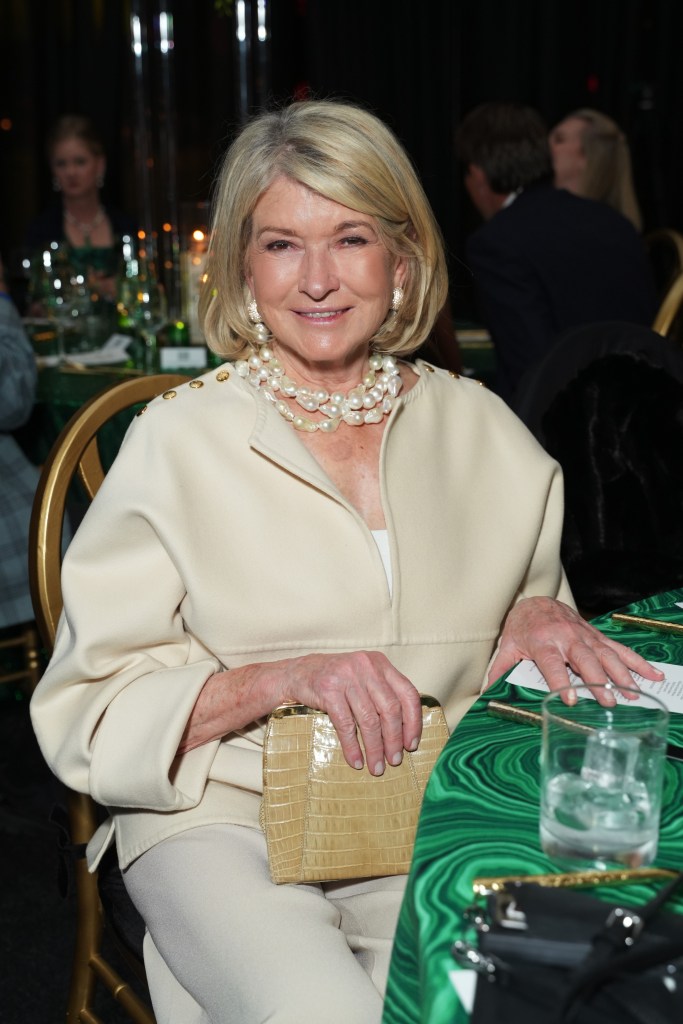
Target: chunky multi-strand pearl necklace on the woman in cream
369,402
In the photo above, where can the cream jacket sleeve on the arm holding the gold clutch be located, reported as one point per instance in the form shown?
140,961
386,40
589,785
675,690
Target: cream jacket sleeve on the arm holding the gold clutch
125,674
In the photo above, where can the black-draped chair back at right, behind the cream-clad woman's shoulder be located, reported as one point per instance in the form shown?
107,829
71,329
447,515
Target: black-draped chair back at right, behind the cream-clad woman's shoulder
608,404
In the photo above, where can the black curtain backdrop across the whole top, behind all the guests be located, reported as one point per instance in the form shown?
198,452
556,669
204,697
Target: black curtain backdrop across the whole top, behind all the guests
420,65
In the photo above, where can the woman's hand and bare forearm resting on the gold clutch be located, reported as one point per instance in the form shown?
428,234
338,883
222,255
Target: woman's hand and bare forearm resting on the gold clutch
374,708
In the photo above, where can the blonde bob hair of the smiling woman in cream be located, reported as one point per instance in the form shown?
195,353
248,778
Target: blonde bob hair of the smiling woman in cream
347,155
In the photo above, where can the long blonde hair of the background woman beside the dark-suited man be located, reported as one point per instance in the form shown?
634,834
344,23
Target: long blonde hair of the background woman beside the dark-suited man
609,175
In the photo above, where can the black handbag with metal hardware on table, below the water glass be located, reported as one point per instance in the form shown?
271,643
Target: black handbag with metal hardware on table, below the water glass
558,957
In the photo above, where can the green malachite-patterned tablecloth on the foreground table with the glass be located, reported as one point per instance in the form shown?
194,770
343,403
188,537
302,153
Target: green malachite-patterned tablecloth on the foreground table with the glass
481,819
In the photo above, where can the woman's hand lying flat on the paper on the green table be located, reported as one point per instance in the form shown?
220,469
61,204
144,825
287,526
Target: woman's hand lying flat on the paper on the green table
554,636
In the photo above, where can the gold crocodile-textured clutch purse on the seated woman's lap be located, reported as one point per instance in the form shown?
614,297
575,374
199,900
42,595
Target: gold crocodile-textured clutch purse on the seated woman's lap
325,821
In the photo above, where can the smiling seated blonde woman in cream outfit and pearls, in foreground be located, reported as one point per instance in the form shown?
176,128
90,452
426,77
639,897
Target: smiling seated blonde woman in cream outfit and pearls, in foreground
345,540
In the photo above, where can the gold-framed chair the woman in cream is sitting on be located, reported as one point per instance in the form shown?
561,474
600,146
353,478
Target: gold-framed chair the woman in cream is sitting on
76,453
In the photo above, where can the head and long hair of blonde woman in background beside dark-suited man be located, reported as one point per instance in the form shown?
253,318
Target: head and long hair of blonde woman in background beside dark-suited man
591,158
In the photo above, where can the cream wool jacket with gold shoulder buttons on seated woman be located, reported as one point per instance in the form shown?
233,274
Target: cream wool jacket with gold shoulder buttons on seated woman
218,541
